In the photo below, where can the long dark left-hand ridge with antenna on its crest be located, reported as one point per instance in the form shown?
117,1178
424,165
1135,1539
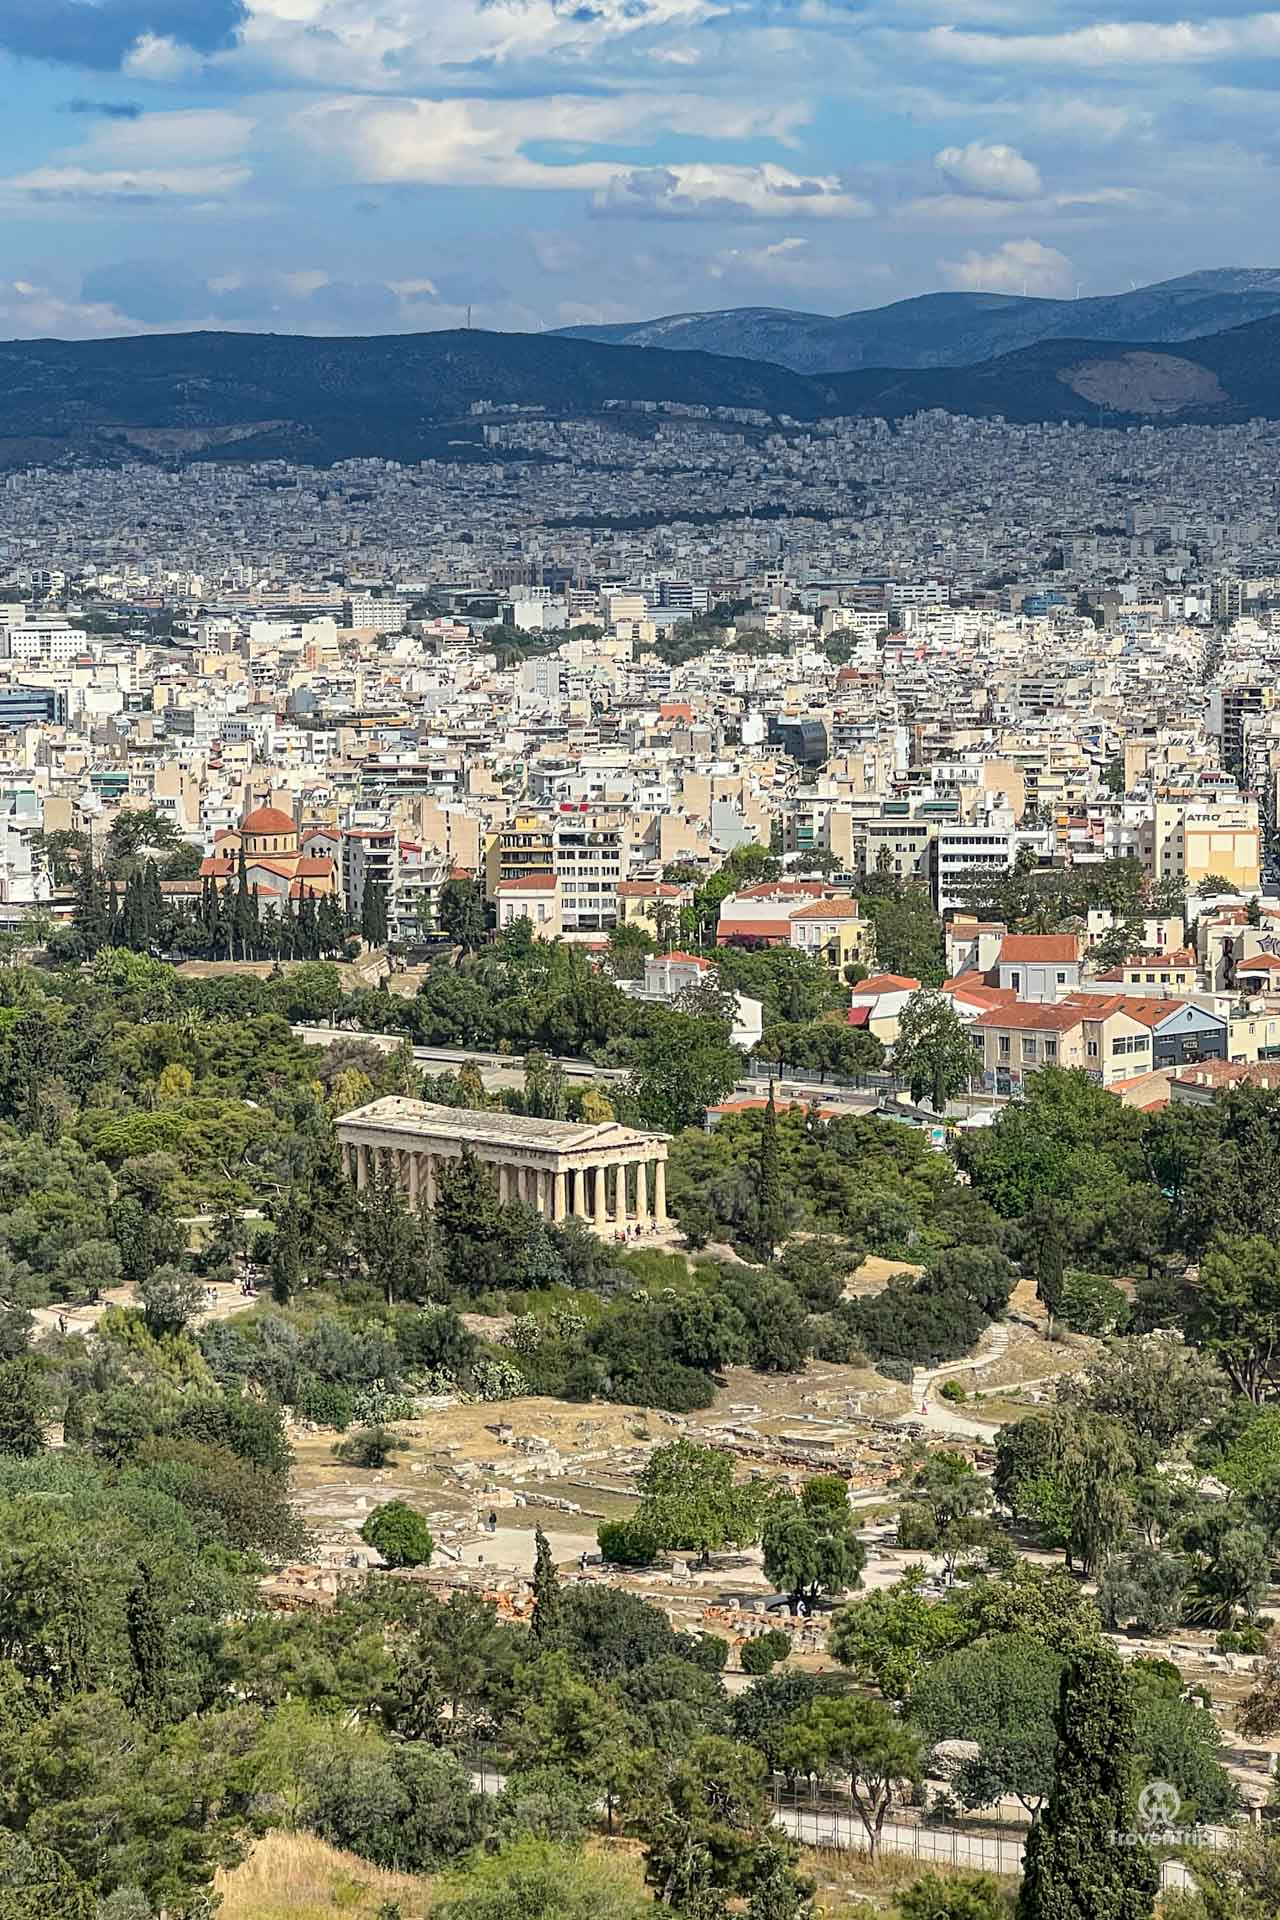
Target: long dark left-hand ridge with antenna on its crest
296,398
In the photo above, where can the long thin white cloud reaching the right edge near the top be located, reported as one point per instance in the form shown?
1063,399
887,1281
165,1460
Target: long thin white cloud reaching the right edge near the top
1139,43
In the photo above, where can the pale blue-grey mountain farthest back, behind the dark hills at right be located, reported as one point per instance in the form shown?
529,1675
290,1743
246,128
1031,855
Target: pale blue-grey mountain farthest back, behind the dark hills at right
959,329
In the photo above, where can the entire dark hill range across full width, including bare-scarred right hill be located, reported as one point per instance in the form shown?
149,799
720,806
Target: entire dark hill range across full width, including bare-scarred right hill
410,396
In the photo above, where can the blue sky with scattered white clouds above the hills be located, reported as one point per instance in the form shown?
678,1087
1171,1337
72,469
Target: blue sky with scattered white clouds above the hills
383,166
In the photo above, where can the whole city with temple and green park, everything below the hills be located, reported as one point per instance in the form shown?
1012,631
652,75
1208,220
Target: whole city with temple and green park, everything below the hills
640,1176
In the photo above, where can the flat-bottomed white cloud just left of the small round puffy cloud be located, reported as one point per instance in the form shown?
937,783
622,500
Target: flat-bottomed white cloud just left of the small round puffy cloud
728,193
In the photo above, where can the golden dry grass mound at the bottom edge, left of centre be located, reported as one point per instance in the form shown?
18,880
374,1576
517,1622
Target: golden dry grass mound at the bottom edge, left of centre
296,1877
